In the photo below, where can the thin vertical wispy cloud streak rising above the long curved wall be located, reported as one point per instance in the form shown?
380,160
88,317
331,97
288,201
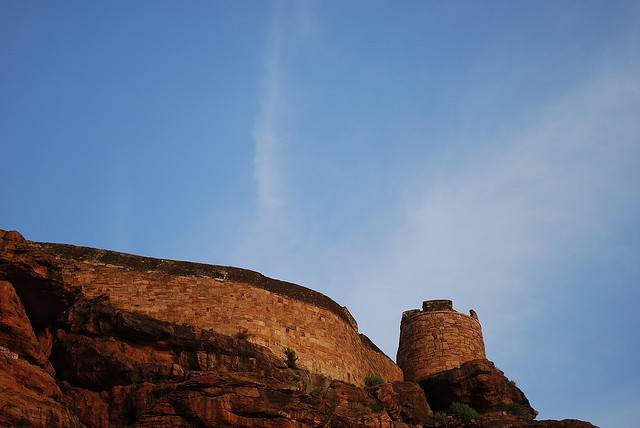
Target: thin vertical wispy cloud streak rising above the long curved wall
273,234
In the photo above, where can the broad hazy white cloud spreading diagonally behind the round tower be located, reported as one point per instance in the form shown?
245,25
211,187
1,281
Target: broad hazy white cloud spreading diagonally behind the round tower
481,232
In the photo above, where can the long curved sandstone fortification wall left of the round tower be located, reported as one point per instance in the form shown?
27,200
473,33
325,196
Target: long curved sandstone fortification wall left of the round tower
276,314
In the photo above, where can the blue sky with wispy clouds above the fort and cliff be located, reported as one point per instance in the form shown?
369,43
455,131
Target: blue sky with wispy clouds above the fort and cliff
381,153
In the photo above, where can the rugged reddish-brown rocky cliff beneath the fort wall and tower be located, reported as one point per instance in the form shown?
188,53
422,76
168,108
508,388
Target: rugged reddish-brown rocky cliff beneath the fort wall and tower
71,360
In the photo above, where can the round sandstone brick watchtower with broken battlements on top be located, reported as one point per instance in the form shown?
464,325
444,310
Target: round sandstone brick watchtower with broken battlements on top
437,338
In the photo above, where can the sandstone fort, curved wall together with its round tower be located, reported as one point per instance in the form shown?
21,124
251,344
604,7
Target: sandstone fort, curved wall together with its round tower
274,313
